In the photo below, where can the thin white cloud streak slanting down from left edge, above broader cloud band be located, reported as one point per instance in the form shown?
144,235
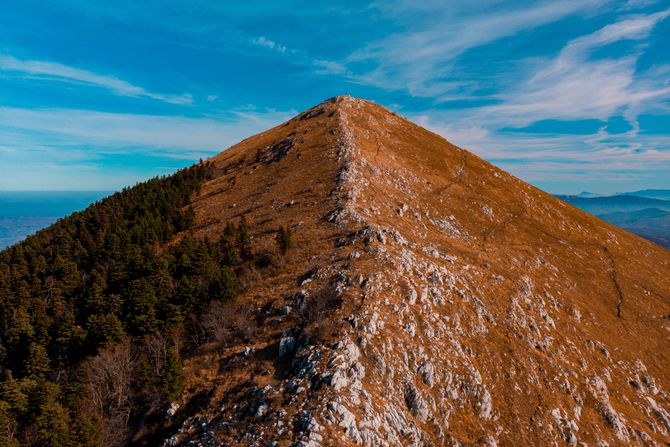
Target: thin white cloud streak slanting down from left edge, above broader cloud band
65,73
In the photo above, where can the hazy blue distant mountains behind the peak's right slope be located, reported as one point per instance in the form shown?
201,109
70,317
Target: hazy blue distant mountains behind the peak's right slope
645,212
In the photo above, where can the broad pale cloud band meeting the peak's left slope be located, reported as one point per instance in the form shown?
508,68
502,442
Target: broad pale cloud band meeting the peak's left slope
174,135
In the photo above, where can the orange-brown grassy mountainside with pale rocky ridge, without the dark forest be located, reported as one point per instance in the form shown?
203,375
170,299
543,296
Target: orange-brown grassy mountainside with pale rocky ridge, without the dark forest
398,290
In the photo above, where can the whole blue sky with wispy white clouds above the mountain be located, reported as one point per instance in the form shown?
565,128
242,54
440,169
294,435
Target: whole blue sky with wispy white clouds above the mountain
568,95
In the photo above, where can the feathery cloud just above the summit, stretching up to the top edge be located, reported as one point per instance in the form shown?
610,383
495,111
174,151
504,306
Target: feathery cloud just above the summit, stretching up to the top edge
419,60
